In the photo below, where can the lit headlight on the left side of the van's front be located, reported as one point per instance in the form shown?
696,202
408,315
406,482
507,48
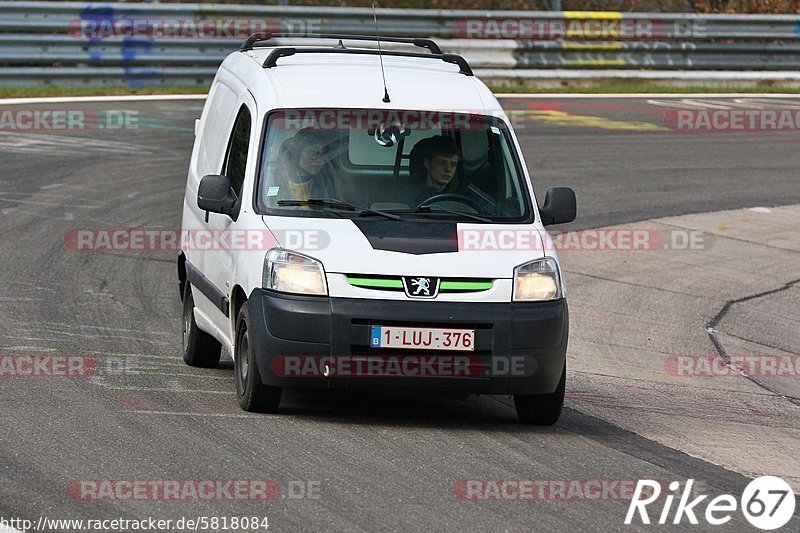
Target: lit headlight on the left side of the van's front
286,271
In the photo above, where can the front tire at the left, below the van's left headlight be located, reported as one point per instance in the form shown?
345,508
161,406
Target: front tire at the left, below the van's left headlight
253,395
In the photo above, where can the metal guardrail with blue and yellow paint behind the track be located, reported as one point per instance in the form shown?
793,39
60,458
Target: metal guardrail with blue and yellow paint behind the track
74,43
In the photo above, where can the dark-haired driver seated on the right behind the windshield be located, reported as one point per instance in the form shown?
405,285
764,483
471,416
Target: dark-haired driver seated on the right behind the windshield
432,166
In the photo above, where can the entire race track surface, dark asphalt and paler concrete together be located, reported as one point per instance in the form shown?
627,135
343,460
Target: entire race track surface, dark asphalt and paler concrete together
360,462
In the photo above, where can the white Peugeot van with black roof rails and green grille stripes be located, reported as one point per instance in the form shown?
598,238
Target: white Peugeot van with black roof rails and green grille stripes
358,219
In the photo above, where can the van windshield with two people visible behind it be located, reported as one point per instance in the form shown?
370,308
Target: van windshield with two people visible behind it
409,163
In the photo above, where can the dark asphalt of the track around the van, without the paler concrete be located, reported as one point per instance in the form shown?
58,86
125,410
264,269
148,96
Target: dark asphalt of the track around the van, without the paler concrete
367,462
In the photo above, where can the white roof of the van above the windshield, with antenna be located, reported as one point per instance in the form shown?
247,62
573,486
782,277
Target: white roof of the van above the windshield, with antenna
327,80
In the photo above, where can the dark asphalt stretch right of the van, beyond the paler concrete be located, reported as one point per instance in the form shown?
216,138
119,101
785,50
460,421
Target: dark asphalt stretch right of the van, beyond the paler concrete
629,160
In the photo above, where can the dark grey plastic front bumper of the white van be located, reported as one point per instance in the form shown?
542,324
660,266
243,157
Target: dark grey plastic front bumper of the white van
520,347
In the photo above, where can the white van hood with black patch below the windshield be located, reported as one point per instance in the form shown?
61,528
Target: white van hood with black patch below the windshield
410,248
